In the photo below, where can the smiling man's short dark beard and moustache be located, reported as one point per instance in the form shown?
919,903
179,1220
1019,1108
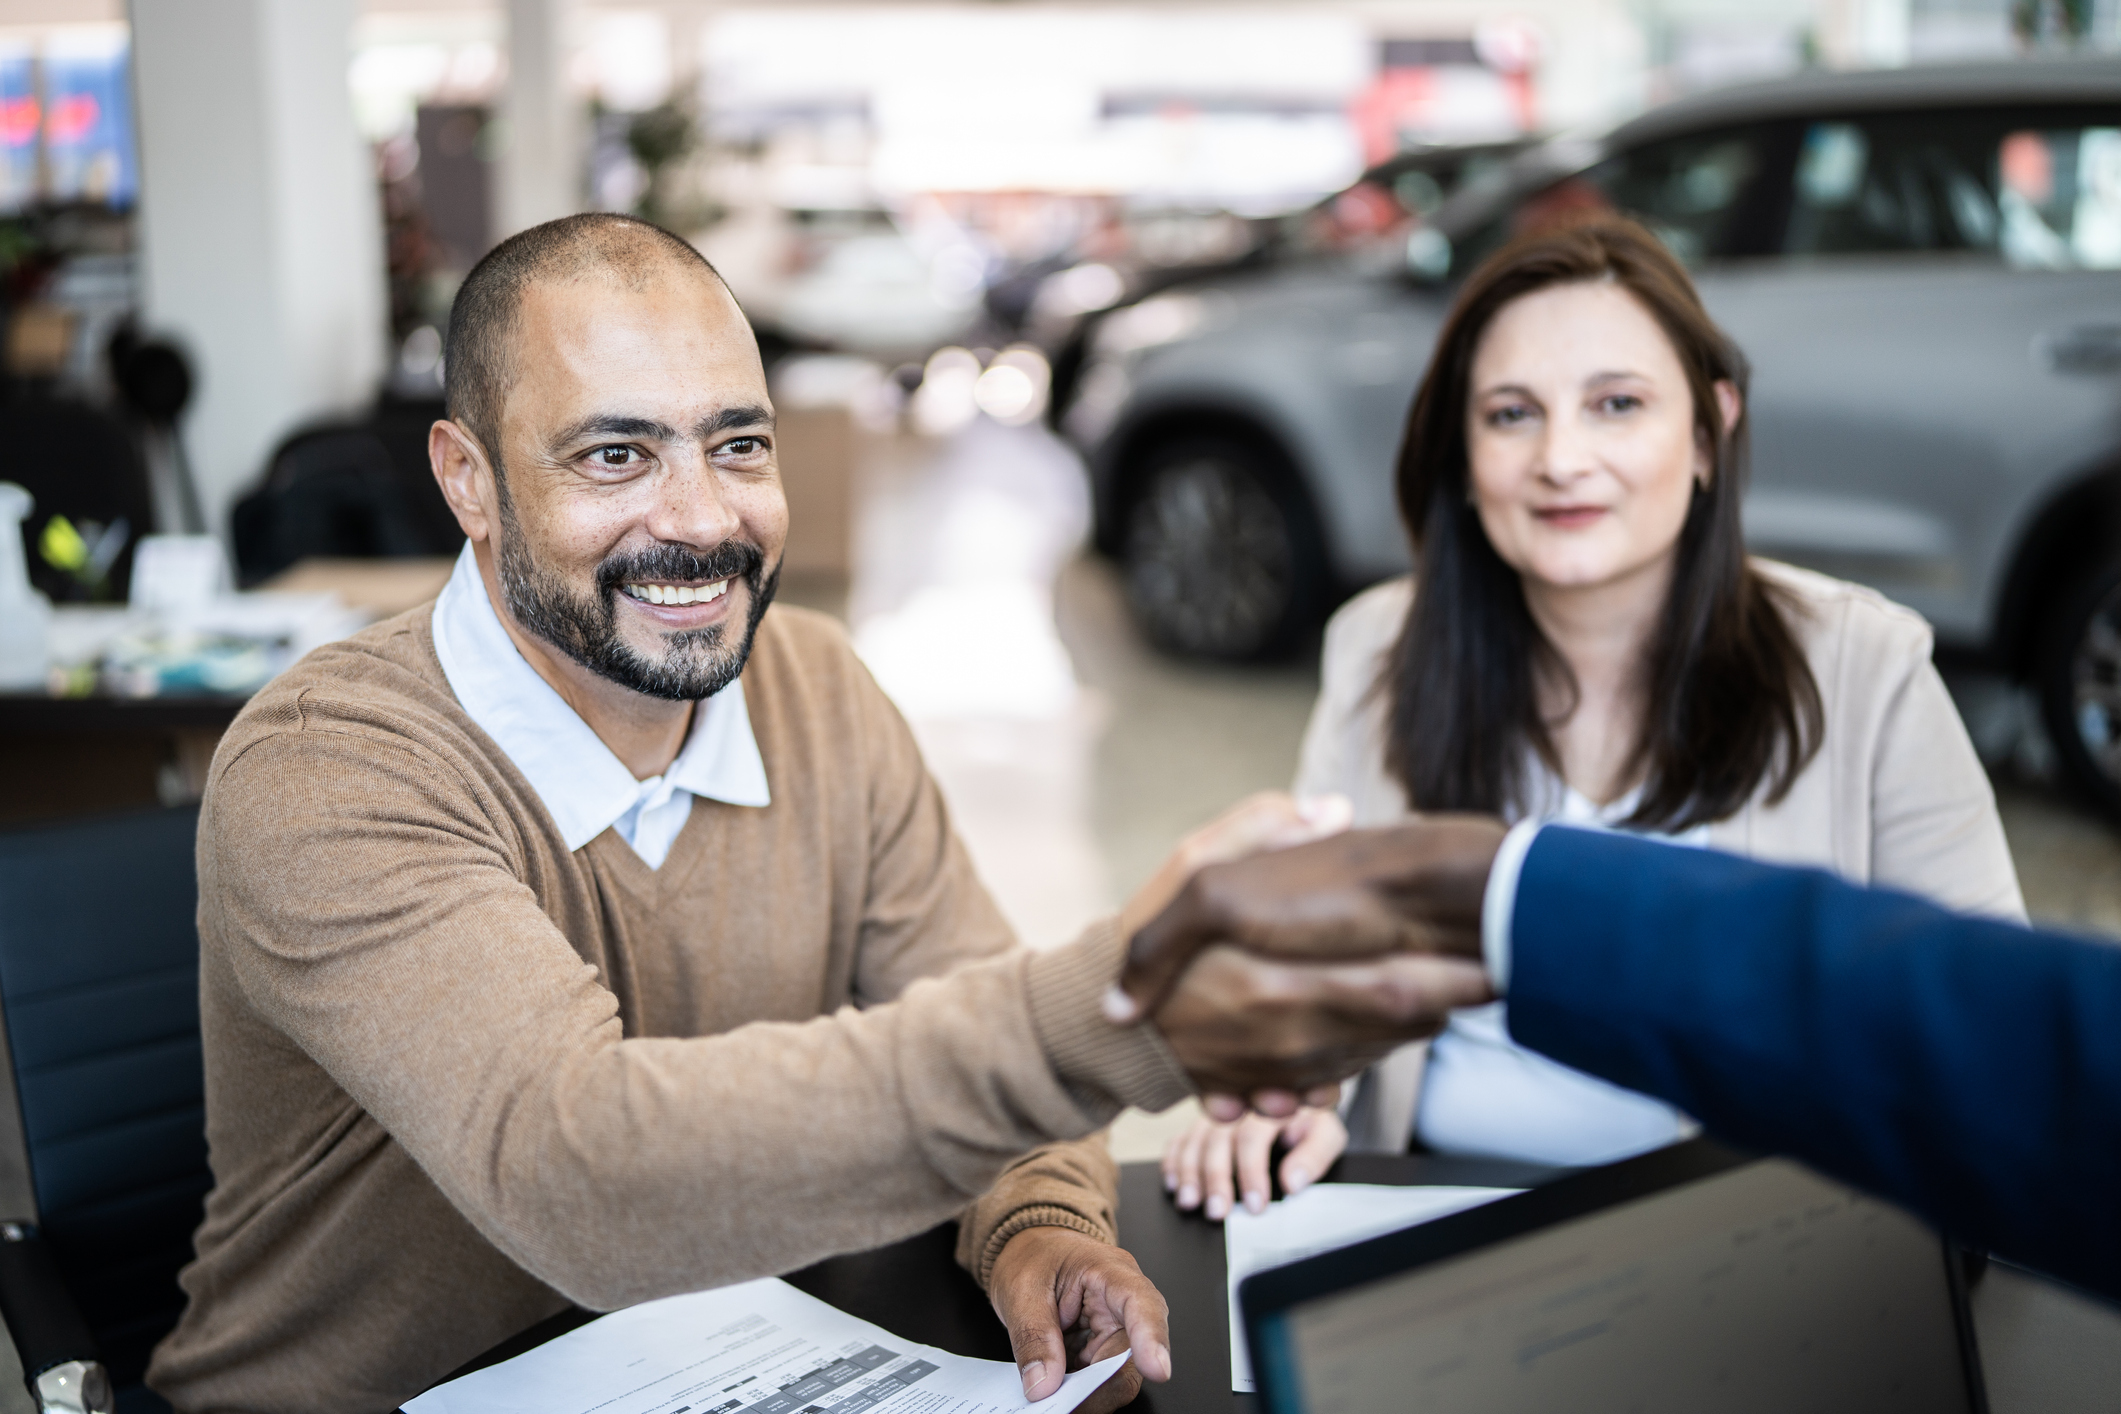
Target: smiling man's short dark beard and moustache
697,662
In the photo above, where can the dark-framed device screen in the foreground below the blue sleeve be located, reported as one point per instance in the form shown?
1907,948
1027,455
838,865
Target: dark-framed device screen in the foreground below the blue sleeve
1685,1279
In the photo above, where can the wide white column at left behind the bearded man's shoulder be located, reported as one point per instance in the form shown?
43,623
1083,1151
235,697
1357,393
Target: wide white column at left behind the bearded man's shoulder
260,228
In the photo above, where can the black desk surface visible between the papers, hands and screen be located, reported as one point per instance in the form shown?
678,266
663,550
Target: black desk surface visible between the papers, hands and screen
917,1290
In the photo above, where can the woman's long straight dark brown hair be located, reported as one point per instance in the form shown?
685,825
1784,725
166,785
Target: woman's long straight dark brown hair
1730,699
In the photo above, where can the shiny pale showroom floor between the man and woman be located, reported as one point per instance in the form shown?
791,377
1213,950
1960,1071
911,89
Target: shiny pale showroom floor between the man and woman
1074,756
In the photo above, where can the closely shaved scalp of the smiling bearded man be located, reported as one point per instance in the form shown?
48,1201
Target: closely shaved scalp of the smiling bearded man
480,359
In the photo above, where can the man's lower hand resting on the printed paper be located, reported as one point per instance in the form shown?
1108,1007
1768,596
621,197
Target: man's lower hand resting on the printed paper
1070,1303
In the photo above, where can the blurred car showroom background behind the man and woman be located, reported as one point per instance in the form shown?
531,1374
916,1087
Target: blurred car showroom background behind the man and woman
1091,330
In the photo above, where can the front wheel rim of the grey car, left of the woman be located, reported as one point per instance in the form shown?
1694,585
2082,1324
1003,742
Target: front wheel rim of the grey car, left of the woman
1208,559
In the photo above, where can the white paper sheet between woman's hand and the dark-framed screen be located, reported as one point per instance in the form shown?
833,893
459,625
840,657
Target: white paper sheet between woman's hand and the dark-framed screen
1320,1220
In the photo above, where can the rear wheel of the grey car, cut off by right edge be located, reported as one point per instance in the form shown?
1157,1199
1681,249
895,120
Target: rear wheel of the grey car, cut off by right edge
2080,682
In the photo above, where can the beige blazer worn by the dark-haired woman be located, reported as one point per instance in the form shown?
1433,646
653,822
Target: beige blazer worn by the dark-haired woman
1893,798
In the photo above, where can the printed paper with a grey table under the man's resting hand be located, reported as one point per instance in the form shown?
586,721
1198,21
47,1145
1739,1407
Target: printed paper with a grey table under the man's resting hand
756,1349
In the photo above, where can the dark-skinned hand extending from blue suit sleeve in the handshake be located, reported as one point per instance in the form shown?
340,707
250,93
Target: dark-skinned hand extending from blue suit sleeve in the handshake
1414,889
